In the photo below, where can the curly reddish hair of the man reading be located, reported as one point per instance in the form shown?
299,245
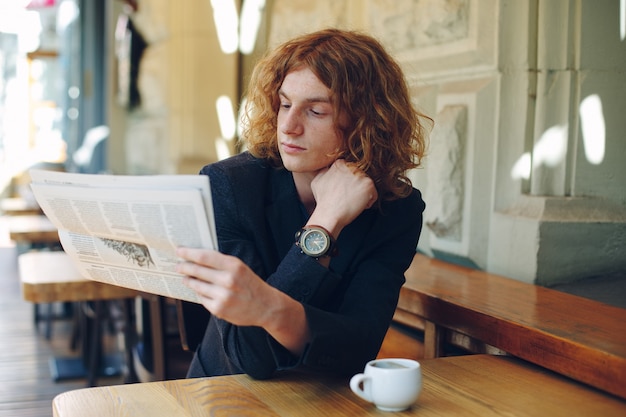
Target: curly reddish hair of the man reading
384,136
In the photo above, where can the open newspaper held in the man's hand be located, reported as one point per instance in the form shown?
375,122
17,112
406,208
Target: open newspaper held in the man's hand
123,230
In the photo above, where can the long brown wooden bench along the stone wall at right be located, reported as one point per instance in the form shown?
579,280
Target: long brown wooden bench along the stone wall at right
574,336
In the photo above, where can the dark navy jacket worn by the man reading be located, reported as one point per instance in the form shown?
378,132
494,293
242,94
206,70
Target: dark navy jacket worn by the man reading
348,306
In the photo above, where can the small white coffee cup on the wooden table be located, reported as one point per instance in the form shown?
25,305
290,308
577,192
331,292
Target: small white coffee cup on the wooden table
391,384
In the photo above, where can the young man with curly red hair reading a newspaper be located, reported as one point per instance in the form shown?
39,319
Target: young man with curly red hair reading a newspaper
316,221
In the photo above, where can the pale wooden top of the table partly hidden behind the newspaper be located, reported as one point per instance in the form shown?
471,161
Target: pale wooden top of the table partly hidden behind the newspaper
48,277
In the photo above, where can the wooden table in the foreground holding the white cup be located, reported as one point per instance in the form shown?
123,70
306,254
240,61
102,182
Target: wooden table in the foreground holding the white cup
475,385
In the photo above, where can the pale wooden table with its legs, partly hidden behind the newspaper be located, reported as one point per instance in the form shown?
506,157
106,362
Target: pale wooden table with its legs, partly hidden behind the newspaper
49,277
